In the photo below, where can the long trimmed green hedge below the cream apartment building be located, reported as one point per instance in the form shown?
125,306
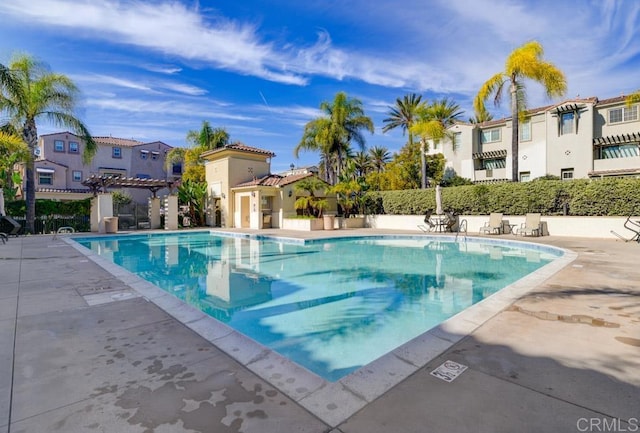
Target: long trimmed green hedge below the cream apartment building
606,197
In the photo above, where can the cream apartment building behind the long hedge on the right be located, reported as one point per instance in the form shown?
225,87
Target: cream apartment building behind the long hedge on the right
578,138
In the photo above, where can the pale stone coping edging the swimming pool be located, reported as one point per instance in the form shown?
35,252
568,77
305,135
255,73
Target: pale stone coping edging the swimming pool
335,402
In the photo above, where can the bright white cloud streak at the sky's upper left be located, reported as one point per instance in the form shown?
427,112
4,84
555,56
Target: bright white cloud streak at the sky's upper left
167,27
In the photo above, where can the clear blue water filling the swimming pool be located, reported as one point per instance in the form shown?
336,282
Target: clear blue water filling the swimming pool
331,306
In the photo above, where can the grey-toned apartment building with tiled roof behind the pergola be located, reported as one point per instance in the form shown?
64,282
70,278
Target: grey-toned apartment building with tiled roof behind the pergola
60,170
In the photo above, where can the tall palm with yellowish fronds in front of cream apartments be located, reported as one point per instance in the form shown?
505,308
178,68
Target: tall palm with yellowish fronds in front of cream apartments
524,62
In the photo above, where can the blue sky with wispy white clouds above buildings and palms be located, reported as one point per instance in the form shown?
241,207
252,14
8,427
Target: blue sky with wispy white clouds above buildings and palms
153,70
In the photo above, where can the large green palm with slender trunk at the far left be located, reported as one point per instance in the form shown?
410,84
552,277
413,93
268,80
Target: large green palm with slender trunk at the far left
30,91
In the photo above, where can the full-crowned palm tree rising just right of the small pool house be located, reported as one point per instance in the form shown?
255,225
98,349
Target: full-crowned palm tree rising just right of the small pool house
332,134
